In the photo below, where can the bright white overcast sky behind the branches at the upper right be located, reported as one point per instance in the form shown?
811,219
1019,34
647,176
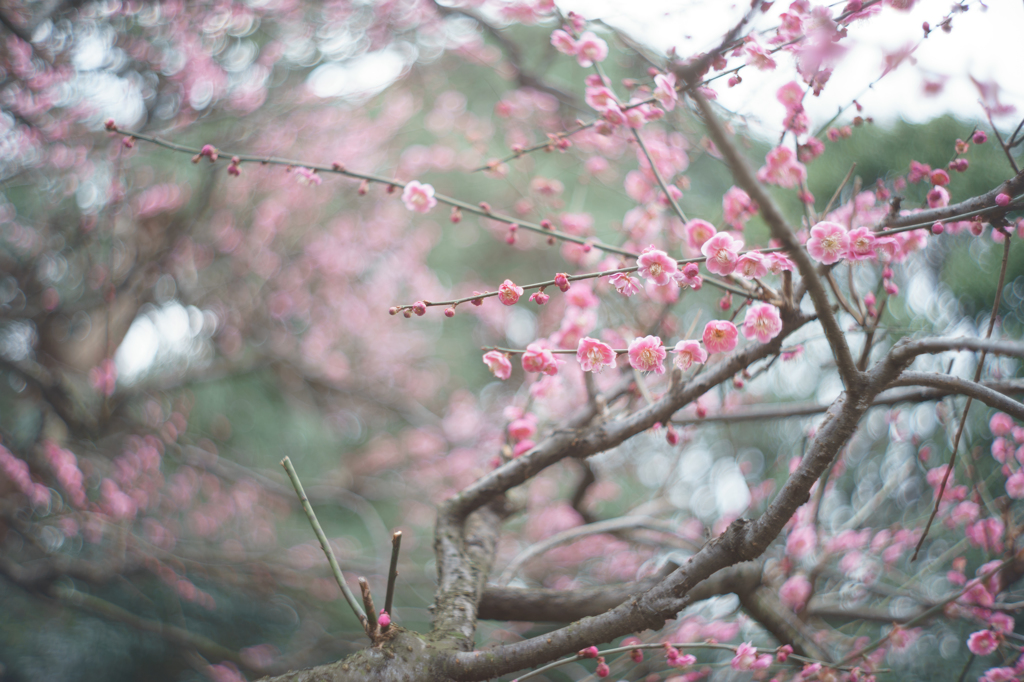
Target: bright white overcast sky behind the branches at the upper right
985,42
